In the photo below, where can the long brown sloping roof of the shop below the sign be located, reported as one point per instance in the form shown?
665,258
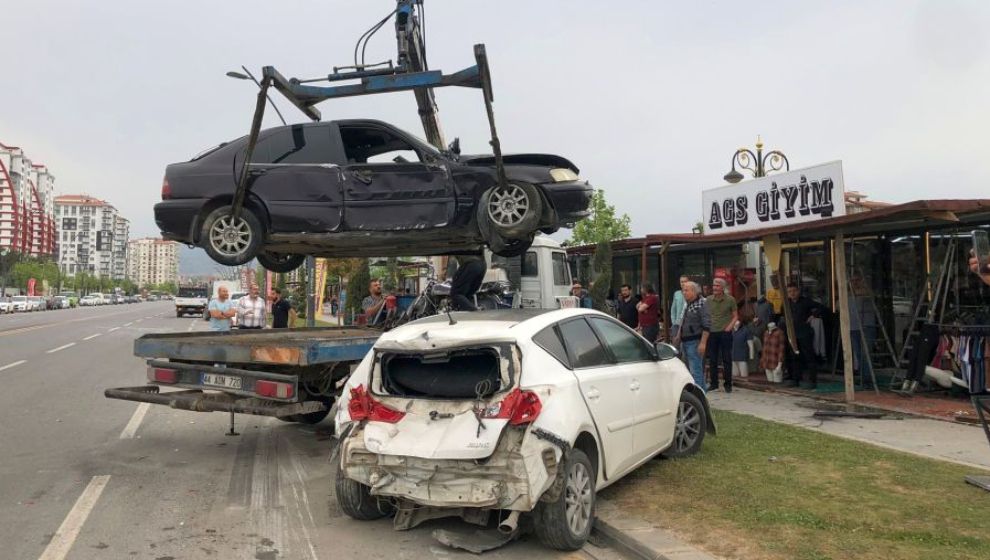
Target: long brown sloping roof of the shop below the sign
906,217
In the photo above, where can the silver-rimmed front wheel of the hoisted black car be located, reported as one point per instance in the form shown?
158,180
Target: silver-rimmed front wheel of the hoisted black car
513,211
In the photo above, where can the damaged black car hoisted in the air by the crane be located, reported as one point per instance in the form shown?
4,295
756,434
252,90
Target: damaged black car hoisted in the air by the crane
351,188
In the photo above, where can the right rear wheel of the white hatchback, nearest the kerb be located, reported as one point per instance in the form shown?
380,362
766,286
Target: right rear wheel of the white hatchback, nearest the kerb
565,523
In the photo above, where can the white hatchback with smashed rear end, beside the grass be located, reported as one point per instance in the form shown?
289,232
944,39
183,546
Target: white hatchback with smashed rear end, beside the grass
520,411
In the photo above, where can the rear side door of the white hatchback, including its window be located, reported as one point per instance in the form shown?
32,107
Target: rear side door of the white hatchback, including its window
606,391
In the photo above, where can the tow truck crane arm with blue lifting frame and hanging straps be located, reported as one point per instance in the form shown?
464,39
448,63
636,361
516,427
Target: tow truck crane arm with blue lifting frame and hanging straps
410,72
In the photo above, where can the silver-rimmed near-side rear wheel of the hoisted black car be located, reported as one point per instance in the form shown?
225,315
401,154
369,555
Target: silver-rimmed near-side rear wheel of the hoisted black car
230,241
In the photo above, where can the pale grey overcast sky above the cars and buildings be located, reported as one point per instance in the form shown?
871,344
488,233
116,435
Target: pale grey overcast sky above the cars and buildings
648,98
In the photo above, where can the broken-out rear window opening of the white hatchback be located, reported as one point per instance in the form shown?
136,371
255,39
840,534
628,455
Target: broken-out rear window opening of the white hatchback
456,374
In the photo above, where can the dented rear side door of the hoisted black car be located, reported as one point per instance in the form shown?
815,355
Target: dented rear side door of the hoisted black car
294,173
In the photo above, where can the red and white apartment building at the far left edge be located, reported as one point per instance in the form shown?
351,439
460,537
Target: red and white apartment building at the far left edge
27,193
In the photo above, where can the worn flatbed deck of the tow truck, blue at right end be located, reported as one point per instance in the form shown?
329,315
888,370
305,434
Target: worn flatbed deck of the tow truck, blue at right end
294,347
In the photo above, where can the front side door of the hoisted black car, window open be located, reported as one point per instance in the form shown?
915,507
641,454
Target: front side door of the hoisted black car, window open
392,183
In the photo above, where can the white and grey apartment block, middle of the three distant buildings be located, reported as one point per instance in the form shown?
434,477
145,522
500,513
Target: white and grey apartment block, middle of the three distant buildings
92,237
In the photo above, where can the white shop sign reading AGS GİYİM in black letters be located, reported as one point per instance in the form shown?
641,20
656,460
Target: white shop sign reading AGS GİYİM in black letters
802,195
